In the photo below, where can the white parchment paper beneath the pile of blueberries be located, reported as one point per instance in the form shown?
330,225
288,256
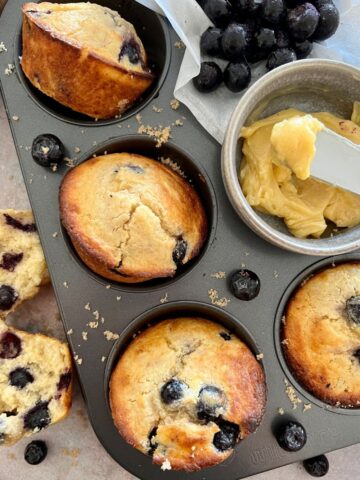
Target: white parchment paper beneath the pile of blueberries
214,110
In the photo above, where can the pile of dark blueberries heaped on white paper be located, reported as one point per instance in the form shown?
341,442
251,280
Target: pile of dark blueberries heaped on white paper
249,31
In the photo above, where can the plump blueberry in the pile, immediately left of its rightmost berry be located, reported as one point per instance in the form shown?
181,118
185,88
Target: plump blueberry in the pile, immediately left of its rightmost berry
302,21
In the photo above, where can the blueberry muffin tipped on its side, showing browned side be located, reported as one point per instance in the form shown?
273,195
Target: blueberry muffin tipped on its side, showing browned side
85,56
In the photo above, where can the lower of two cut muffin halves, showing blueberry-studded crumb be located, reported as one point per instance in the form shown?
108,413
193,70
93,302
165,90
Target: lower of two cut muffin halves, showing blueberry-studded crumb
35,383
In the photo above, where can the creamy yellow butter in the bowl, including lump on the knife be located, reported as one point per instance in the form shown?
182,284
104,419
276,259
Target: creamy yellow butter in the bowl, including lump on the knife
274,173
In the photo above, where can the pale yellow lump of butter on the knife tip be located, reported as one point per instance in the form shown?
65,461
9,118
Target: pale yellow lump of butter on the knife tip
294,143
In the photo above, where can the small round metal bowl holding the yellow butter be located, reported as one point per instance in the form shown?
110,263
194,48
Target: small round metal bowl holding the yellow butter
309,85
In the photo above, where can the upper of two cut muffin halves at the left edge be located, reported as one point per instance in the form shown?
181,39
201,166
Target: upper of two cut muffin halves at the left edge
22,263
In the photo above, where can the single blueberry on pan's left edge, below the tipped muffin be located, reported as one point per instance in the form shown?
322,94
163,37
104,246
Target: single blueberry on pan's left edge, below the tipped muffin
47,150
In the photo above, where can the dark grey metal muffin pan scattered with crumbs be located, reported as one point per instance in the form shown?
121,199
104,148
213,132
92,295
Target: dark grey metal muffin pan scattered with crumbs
126,309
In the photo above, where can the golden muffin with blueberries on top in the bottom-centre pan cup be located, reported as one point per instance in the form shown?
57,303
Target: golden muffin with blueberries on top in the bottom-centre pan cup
186,391
